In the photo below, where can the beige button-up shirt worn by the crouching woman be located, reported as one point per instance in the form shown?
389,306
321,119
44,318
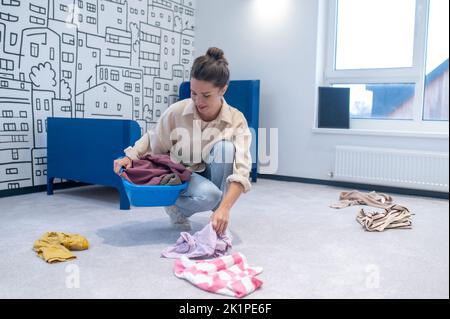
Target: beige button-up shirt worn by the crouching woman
181,132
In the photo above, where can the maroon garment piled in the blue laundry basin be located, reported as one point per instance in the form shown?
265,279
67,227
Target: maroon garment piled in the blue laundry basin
151,169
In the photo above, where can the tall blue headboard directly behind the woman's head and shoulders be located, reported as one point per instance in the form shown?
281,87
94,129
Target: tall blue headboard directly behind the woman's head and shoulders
243,95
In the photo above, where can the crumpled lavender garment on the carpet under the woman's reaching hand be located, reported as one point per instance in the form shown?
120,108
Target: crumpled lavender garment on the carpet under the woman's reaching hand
203,244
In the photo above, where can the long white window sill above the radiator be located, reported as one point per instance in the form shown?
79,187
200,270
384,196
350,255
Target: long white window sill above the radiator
330,131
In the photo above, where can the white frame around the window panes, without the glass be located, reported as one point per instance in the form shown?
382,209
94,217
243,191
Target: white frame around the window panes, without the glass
415,74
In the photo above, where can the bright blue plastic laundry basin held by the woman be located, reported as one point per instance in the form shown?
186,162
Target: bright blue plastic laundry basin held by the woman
153,195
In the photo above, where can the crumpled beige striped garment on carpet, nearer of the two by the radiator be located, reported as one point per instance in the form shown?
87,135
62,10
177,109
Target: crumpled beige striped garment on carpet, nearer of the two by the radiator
395,216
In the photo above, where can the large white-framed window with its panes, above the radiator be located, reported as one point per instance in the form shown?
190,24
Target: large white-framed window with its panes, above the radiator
384,65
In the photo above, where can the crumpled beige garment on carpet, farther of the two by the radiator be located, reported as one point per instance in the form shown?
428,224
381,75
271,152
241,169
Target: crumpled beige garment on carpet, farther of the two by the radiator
374,199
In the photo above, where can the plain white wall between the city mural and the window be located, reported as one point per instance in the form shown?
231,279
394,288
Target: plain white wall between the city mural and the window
287,58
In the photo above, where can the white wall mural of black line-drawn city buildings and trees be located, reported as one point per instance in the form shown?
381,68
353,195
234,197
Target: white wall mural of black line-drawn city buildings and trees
62,57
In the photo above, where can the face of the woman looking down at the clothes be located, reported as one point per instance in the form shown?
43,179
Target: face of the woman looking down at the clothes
207,98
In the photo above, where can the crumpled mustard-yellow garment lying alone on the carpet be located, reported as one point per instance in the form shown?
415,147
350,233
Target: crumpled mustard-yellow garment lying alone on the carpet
55,246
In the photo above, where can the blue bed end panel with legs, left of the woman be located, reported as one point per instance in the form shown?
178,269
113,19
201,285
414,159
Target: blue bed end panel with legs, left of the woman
84,150
